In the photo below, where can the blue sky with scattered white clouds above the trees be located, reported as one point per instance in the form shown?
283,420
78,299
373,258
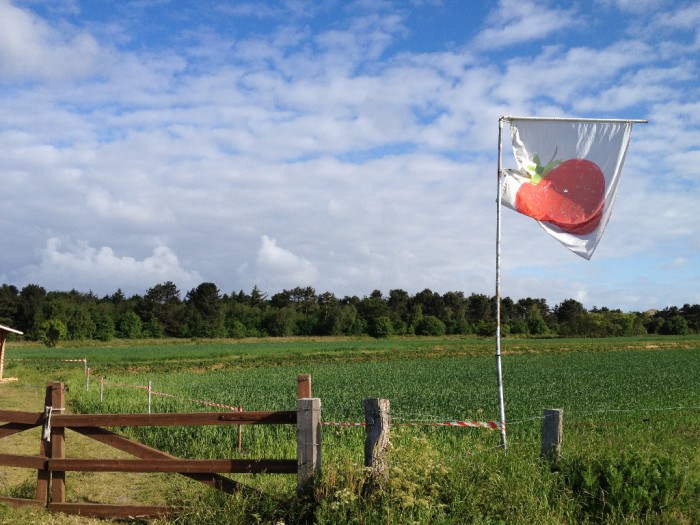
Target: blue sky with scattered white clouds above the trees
344,145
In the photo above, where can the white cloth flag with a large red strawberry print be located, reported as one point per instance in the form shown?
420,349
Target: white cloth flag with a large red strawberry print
567,175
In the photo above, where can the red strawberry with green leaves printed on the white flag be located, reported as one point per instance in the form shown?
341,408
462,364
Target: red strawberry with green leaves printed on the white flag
570,196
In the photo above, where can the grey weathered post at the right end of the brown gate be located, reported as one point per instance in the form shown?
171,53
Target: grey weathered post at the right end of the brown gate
308,443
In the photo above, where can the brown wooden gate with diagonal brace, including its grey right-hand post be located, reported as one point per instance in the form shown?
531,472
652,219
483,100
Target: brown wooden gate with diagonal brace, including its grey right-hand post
52,465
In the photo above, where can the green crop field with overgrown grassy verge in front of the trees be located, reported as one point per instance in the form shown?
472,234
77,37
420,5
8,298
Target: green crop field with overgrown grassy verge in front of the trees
631,424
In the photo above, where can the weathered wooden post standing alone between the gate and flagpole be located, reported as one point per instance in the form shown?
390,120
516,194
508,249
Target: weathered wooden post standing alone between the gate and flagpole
377,422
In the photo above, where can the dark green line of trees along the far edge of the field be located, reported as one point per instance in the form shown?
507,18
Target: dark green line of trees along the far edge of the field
205,312
